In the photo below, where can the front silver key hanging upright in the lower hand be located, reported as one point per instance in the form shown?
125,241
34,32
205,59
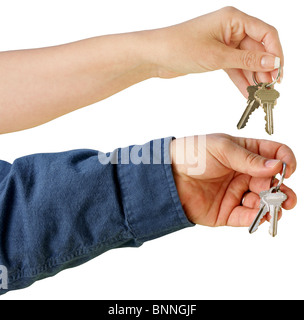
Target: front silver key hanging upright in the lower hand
274,201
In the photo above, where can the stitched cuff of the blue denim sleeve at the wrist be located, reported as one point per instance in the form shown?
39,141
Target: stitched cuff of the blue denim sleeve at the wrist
150,199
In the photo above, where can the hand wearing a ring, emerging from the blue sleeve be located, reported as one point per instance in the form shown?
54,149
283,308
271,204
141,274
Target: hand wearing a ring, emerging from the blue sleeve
233,167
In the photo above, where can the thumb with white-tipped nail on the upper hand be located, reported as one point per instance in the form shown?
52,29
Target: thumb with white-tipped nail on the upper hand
258,61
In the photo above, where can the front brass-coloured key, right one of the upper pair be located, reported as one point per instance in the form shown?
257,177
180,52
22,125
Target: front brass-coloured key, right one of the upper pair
267,96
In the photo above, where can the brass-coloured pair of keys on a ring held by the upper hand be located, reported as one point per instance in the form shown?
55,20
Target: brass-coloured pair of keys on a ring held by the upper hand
264,95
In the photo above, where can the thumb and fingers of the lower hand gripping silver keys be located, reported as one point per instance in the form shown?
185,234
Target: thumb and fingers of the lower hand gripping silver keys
254,162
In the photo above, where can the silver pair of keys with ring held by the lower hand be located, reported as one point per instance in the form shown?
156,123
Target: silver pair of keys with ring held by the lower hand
271,201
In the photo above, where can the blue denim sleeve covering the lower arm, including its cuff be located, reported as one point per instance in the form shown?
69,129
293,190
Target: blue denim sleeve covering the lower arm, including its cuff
59,210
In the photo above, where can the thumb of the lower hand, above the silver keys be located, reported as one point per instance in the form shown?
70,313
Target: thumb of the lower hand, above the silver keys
245,161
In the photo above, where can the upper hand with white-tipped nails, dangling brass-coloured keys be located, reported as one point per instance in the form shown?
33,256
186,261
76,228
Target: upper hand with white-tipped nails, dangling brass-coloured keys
225,39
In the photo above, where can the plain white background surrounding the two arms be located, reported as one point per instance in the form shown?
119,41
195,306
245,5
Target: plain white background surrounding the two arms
195,263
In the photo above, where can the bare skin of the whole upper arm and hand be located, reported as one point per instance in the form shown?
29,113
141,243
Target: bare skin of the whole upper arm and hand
39,85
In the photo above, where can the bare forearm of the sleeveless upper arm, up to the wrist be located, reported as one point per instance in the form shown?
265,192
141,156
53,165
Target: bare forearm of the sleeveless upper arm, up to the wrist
38,85
